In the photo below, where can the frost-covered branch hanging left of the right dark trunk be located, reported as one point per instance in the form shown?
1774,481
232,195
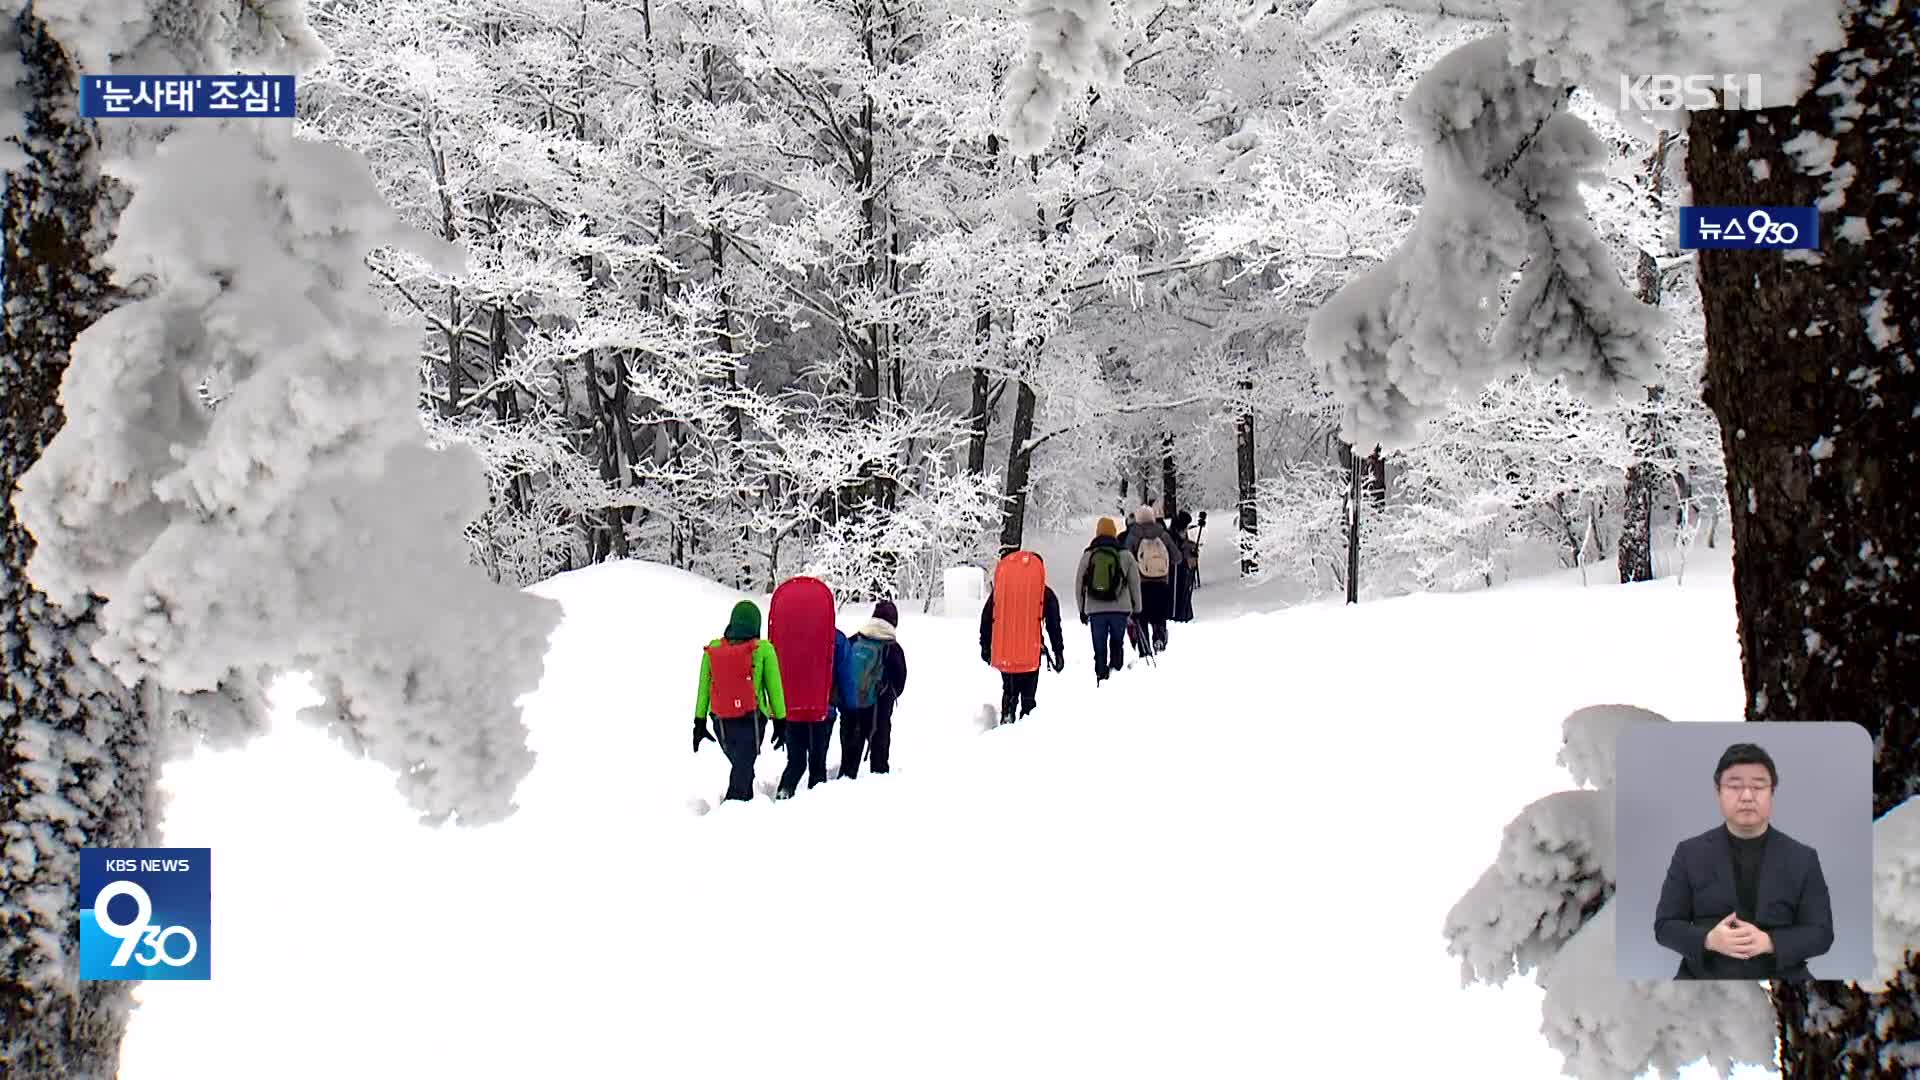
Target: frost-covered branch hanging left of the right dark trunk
1504,166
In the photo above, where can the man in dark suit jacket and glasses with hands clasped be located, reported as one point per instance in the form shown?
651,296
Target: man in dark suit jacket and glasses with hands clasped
1744,900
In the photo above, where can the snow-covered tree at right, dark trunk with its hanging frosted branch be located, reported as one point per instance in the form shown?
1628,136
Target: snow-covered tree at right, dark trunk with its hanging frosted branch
1810,356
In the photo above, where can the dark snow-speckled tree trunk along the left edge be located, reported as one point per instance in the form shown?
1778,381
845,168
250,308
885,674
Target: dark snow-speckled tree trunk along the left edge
53,798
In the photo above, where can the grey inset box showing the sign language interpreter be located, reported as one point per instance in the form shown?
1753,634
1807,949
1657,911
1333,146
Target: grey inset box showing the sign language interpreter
1746,850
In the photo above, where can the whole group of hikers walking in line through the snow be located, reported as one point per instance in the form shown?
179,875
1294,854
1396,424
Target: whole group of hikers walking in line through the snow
807,675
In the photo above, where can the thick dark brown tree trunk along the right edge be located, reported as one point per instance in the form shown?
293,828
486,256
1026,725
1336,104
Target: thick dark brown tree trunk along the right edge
1819,433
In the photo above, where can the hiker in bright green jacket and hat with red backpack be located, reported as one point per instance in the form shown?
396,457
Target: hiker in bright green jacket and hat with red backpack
740,689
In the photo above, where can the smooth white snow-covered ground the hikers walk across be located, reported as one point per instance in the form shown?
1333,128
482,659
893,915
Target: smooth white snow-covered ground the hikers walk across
1232,866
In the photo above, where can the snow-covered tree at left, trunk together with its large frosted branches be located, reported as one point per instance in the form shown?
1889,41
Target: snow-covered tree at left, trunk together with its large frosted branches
239,485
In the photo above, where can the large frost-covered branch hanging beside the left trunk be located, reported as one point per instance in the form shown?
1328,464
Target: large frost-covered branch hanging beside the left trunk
304,524
